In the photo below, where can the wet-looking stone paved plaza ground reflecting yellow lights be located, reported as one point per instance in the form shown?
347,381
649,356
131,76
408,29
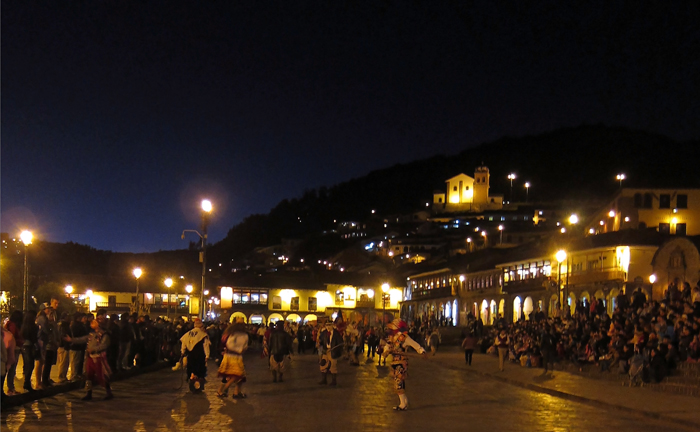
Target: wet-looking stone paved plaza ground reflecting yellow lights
442,393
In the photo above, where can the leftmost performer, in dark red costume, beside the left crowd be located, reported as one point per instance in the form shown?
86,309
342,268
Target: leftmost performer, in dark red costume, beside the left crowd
96,366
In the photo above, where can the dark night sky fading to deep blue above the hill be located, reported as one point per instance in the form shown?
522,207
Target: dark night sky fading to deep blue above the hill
119,116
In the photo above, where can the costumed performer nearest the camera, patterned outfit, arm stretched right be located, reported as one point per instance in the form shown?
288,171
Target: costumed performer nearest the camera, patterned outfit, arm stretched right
398,342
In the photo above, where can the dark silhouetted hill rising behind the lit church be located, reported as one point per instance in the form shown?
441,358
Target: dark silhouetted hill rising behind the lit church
570,163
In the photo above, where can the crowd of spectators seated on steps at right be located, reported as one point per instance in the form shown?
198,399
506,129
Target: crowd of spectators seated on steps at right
643,339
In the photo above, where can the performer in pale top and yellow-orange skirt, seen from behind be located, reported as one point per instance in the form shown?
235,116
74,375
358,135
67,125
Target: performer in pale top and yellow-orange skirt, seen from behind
232,368
